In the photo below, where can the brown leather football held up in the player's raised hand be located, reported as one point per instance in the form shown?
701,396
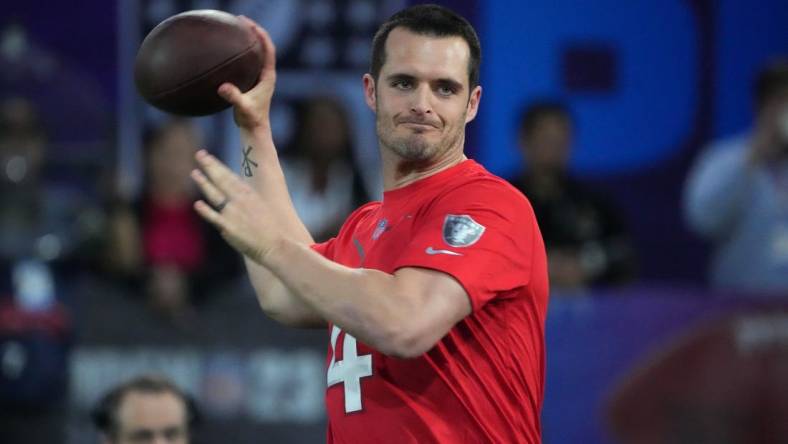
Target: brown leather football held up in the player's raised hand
185,58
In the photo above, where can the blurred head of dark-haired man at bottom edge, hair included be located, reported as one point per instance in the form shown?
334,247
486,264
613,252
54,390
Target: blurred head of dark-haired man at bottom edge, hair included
146,409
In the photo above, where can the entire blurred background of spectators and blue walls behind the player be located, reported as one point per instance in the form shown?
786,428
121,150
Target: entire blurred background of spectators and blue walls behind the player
651,138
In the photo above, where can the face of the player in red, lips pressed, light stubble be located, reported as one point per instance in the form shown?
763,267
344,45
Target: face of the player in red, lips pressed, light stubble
422,97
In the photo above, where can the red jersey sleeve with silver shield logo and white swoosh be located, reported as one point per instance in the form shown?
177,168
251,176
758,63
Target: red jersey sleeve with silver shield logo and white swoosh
482,234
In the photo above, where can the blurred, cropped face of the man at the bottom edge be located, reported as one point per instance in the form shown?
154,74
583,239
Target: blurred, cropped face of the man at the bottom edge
152,418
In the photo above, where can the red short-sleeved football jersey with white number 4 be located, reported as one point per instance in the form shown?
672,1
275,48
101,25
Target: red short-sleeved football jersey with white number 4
484,381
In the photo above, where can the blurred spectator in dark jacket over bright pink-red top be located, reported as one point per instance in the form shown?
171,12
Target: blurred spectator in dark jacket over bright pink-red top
159,243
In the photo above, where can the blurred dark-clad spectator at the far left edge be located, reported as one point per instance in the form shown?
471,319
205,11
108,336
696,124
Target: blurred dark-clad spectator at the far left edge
40,217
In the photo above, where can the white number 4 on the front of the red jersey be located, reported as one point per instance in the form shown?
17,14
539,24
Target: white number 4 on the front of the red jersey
349,370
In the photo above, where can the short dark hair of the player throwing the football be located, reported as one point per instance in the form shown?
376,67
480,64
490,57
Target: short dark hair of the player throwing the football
428,20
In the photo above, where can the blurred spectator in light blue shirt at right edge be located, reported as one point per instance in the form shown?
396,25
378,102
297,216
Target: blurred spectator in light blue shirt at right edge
737,194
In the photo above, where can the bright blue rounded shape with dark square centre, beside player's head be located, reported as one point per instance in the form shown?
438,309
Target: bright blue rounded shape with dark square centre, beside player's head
628,118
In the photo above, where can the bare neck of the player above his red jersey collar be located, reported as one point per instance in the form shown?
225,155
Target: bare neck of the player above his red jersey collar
398,173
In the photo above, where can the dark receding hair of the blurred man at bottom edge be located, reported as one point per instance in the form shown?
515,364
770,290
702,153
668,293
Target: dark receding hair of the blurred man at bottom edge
105,414
